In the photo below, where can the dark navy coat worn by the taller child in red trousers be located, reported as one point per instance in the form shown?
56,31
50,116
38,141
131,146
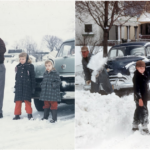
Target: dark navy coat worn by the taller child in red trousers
25,82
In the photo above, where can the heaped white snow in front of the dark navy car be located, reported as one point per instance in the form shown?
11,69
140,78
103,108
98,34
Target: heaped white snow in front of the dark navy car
106,122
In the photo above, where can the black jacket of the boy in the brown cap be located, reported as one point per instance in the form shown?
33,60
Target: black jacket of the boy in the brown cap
141,86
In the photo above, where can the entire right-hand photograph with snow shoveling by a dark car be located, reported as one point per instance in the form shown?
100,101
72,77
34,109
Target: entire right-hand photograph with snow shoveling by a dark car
112,76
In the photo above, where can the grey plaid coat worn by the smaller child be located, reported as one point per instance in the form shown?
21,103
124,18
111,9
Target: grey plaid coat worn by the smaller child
50,86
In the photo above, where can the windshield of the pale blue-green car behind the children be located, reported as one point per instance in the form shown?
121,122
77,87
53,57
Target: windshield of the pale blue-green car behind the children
67,49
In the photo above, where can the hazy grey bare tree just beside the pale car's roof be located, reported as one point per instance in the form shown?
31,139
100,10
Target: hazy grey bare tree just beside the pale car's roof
52,42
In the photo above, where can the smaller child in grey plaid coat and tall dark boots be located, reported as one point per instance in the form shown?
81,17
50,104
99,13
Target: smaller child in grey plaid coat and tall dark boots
50,93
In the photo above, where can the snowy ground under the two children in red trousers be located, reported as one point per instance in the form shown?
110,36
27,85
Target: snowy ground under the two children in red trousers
35,134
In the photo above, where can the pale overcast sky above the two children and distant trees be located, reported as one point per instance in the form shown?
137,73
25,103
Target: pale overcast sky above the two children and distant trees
36,19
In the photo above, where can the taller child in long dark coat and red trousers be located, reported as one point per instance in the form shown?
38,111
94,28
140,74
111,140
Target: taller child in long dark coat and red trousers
24,86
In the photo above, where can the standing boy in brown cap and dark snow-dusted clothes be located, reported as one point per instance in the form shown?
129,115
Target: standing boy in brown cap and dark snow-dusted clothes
140,85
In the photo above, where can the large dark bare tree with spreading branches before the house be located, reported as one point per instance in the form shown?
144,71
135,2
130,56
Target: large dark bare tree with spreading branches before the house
106,13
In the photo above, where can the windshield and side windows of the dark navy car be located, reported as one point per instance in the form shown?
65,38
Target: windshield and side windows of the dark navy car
127,51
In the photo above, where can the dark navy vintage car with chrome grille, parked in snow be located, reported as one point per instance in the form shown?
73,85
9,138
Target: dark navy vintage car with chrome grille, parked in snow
121,63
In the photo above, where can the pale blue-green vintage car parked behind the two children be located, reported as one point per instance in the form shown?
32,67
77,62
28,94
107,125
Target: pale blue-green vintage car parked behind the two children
64,64
